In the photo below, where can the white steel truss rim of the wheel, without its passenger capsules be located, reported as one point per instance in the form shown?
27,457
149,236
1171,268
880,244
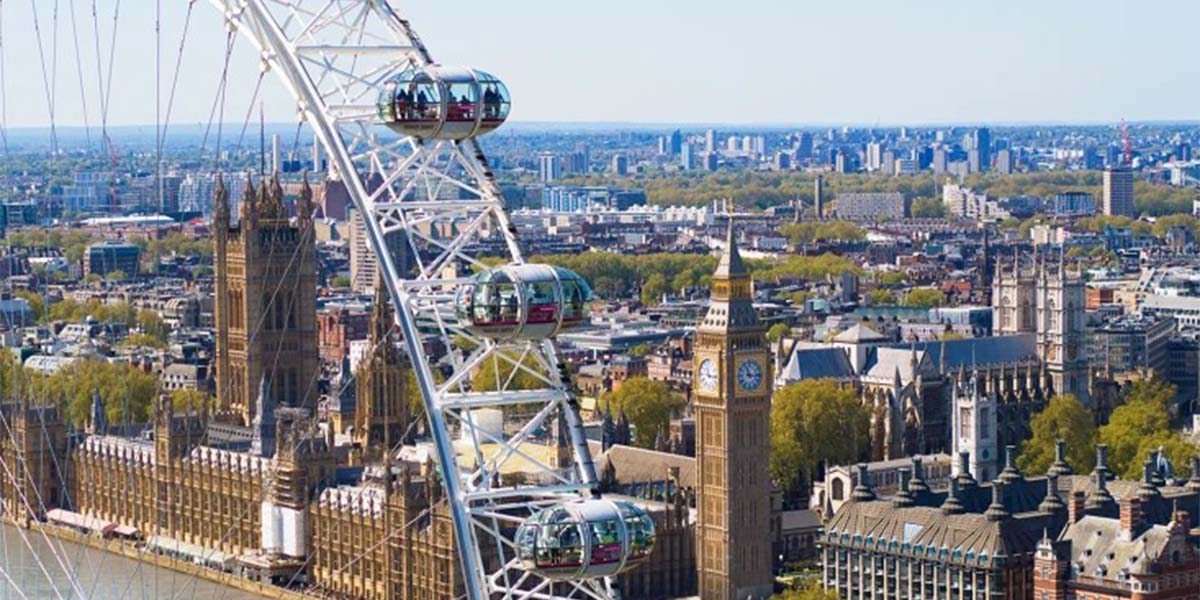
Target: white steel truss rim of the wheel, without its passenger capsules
441,199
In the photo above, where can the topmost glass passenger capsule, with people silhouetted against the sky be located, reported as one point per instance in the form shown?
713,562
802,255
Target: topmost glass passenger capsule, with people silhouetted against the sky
439,103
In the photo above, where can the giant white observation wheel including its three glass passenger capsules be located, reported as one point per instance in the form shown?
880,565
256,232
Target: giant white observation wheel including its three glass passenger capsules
400,131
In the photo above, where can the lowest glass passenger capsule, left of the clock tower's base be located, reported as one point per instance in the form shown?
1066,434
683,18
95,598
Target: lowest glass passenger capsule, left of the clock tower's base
585,539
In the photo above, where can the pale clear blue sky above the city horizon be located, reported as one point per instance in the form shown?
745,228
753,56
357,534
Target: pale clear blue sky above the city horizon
747,62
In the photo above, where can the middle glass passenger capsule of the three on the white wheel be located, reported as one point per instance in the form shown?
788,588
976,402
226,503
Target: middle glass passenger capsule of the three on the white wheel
524,302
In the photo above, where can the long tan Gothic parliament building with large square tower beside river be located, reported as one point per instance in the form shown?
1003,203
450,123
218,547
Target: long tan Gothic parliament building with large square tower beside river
255,485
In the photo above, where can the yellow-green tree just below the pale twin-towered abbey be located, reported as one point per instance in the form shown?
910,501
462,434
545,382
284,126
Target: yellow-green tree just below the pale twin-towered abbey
1065,418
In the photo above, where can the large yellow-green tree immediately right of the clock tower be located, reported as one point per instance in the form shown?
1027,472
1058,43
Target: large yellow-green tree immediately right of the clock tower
815,422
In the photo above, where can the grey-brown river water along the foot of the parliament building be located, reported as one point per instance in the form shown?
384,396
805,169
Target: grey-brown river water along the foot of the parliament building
99,575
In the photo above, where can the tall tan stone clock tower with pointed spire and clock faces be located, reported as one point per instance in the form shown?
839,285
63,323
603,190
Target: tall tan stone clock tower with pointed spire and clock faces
733,399
